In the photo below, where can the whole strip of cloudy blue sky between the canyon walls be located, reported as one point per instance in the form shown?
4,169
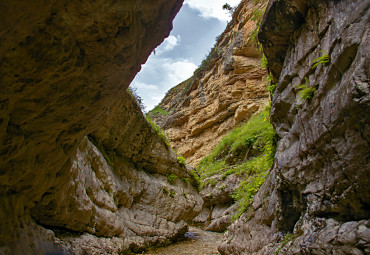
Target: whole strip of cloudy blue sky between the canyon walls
195,28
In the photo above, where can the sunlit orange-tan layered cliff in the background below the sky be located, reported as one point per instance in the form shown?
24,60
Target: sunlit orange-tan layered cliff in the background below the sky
227,89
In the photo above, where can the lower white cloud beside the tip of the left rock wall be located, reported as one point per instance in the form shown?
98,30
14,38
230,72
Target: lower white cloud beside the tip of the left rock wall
159,75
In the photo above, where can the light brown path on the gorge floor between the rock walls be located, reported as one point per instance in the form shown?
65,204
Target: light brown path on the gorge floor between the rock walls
206,243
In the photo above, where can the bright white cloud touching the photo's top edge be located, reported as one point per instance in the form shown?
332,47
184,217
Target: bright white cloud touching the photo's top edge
212,8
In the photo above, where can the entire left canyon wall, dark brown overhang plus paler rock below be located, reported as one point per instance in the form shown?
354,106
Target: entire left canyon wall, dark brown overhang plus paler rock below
79,164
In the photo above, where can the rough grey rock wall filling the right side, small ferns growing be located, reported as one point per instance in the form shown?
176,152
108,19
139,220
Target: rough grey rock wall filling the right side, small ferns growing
317,194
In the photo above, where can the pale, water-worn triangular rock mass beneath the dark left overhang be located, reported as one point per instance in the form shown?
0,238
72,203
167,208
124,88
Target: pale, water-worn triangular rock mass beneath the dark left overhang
119,195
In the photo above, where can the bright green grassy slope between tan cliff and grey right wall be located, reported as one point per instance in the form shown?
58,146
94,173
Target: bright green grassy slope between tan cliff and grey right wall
252,146
